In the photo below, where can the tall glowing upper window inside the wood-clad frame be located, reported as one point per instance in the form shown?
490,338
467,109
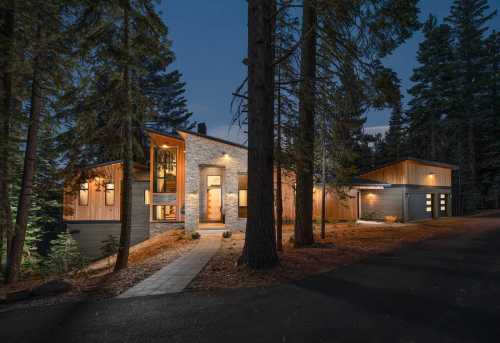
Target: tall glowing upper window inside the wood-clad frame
165,170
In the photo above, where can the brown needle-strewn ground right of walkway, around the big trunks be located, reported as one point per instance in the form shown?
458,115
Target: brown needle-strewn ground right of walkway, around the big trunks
343,245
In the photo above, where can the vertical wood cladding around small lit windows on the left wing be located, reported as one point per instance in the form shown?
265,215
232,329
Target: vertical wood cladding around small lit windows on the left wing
96,208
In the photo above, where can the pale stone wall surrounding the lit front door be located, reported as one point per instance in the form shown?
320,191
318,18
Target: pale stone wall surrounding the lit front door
204,151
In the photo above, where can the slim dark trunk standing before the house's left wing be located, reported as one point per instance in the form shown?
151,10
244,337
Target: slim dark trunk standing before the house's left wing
126,200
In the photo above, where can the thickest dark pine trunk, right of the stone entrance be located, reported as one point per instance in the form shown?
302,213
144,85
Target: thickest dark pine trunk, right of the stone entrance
259,250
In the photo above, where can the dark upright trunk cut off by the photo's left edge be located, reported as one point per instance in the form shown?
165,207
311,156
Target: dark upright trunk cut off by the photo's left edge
5,120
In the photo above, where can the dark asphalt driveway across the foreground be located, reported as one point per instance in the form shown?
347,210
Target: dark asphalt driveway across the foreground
441,290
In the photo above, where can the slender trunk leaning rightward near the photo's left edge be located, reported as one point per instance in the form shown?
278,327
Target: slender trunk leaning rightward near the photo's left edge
23,207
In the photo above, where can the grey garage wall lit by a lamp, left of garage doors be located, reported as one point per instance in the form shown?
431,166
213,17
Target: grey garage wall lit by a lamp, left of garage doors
378,203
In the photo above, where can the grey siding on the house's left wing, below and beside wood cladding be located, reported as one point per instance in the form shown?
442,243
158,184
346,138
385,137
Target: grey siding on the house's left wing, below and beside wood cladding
90,234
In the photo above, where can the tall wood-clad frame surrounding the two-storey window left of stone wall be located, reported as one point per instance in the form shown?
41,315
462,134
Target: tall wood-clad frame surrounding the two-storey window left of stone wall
158,140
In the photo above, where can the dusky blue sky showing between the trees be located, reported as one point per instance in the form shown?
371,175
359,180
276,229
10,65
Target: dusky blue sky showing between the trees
209,40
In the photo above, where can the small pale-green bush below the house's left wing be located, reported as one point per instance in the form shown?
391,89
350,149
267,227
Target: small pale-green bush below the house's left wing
64,254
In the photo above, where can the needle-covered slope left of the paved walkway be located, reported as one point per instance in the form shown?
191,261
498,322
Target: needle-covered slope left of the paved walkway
98,280
